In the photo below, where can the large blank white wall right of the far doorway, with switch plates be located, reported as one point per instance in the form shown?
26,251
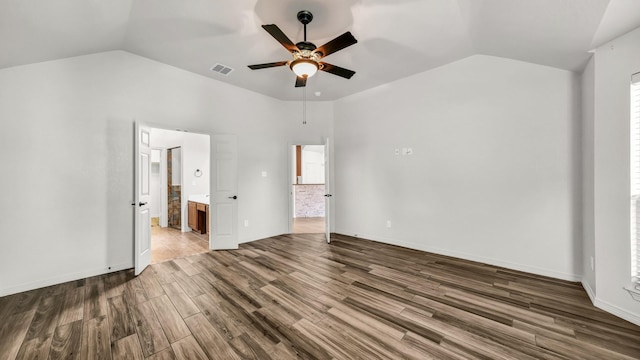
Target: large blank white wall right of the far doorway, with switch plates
495,172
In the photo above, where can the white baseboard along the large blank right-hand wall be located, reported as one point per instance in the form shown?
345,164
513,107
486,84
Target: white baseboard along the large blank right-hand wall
471,257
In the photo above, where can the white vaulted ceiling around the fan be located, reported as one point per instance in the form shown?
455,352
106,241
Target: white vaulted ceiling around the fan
396,38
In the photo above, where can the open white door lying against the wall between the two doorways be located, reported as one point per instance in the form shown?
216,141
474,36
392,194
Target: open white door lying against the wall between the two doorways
224,197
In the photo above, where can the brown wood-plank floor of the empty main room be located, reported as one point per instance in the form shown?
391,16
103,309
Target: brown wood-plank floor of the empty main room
295,296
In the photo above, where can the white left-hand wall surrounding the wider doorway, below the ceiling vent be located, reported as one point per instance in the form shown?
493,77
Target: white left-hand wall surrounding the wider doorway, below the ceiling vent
68,125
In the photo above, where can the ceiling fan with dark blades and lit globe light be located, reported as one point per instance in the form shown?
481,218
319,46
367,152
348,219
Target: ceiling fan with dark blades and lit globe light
306,56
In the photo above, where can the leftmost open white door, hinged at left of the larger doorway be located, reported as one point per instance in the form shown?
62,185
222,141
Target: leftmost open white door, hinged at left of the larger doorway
142,217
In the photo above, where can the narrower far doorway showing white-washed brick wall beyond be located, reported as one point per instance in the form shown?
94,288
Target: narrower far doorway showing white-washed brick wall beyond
308,189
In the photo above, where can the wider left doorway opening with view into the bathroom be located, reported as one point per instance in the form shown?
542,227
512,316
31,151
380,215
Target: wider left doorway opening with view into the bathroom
179,172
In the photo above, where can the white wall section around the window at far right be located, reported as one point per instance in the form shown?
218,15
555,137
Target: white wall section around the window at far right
614,64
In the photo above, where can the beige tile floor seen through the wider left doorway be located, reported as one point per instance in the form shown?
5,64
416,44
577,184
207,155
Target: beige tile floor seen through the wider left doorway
168,243
